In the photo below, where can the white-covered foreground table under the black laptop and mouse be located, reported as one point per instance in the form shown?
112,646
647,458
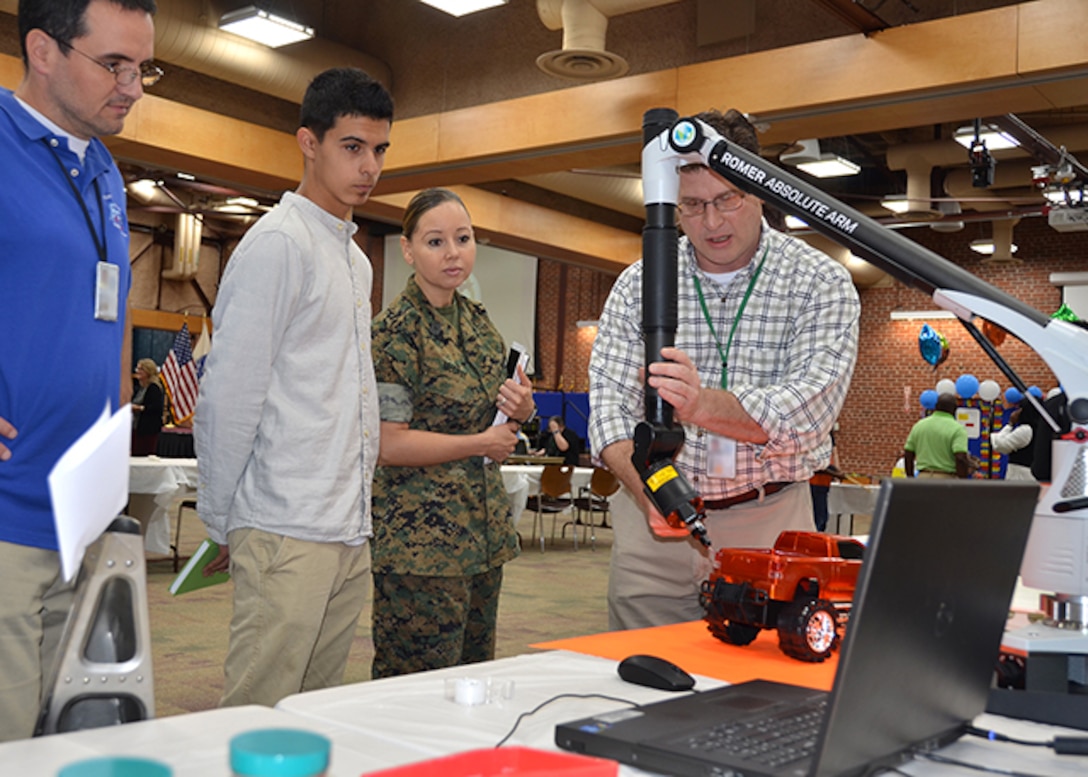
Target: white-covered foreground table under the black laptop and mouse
412,712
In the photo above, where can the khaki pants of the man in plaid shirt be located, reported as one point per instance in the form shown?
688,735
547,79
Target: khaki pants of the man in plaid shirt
654,582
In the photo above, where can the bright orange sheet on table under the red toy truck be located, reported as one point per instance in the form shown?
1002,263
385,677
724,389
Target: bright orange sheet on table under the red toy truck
697,651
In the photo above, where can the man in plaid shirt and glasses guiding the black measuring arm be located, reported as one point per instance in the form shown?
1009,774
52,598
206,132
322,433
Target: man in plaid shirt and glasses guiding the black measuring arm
765,348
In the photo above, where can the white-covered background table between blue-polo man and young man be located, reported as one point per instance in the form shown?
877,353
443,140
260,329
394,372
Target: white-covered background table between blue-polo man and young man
154,486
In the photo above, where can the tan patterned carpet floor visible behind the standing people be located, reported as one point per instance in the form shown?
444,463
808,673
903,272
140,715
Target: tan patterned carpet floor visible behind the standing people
546,596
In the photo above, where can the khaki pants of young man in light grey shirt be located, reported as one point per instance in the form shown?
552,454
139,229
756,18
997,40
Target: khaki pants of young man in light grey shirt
296,607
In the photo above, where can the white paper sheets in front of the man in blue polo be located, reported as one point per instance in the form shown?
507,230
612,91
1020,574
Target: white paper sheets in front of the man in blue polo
90,486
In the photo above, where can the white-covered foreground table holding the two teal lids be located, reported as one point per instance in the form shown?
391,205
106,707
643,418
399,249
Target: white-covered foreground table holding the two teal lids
199,745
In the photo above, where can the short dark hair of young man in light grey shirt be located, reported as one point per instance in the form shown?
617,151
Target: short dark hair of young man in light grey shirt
343,92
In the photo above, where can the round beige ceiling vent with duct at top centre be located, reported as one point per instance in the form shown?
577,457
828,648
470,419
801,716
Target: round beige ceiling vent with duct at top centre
585,23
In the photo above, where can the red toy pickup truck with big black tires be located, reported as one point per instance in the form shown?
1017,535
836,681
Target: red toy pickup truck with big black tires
803,587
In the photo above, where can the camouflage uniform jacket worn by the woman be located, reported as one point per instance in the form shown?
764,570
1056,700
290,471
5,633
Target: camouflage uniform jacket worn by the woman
451,520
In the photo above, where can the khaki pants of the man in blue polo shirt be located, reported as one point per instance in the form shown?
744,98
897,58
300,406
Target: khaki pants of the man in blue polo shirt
34,609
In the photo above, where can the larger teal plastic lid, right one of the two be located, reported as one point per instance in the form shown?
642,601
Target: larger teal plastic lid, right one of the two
280,753
